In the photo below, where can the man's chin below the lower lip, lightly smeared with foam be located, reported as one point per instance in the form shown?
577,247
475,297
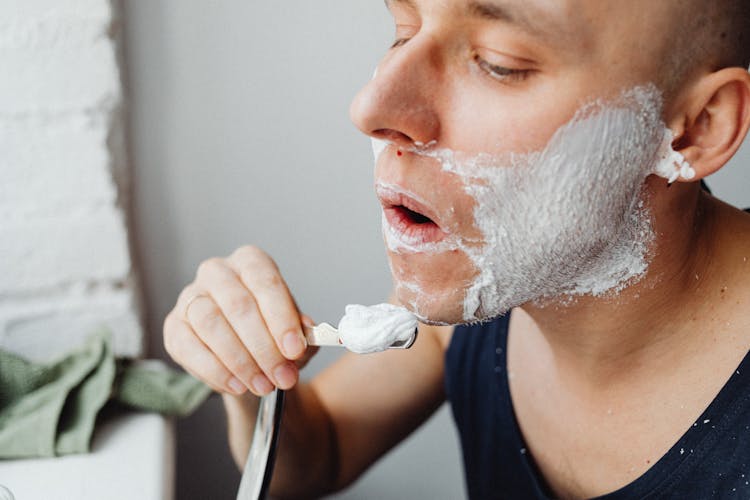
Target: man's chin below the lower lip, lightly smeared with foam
433,286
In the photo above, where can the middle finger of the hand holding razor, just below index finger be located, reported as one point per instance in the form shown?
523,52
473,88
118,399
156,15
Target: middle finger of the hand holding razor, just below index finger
243,315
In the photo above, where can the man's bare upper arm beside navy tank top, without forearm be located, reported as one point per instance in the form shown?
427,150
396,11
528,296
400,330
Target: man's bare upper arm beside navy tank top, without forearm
375,401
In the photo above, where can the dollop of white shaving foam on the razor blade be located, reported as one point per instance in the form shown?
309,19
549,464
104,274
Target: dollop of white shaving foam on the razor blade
370,329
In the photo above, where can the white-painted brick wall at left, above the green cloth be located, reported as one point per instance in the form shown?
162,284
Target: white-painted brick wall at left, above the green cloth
65,267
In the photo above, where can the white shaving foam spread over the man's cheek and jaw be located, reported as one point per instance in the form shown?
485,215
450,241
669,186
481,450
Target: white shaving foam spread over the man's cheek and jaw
568,220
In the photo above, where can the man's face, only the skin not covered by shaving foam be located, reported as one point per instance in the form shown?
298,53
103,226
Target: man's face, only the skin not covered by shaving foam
490,78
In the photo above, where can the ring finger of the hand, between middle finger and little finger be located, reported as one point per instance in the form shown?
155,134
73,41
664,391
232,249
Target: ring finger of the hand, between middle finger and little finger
210,325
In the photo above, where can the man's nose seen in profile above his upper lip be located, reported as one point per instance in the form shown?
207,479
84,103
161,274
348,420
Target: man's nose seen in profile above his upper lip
399,104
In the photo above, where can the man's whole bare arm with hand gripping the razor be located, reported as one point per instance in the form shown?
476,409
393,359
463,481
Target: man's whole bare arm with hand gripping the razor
231,328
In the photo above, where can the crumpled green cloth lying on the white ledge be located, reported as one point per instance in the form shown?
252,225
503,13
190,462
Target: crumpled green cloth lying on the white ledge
50,409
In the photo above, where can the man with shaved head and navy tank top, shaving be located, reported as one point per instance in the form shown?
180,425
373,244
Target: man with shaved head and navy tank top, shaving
540,159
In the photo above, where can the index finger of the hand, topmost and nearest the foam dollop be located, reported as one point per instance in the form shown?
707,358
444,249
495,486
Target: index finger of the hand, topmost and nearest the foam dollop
260,275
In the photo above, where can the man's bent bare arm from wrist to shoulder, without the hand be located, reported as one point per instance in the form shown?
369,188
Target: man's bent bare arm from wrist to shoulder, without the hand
346,418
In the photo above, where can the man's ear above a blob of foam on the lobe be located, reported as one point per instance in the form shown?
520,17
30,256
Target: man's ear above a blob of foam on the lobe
714,120
